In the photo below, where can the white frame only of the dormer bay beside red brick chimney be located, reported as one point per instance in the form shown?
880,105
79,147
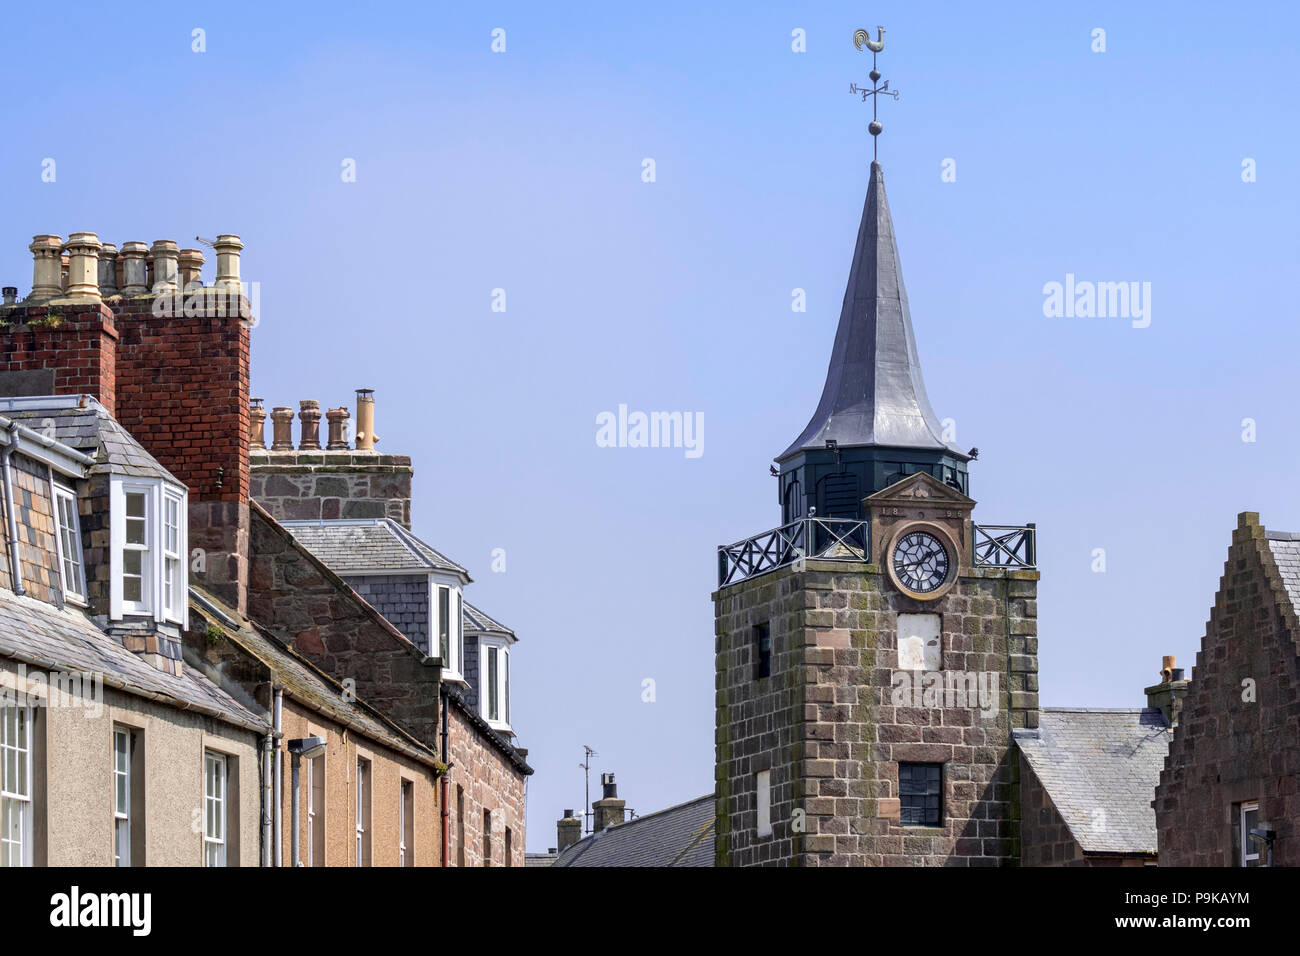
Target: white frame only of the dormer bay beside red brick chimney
154,566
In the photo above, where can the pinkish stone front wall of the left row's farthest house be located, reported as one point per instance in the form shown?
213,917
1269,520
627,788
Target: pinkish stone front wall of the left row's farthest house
492,784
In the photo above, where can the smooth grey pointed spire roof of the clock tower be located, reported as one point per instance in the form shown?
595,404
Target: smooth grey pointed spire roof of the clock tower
874,393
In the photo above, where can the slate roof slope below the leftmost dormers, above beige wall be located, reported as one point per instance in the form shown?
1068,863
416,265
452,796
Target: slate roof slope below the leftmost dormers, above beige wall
50,639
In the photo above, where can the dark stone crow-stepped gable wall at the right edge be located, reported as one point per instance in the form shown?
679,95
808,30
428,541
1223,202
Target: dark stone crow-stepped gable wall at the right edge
1232,746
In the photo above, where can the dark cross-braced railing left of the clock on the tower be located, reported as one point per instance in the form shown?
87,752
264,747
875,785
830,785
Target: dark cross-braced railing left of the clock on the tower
826,539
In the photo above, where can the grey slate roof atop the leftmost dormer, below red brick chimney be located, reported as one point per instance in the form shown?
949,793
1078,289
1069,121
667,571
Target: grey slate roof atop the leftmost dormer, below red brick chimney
89,429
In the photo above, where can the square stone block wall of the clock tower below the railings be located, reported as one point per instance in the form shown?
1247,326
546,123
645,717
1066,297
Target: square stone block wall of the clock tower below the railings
826,726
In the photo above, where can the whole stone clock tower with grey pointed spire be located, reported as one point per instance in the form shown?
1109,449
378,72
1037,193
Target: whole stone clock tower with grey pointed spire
876,652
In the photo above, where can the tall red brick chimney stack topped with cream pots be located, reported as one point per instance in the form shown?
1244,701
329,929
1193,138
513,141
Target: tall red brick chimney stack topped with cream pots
172,369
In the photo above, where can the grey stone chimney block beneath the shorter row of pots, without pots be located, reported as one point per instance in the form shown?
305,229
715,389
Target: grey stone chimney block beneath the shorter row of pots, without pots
311,486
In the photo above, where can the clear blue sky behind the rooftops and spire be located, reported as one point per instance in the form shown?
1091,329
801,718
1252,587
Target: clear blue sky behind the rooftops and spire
522,171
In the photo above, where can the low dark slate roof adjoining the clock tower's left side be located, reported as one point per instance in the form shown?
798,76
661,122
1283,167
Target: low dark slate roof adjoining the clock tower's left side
682,836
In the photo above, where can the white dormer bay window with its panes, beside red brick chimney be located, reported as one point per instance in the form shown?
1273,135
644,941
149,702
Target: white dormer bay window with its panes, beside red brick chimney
149,543
